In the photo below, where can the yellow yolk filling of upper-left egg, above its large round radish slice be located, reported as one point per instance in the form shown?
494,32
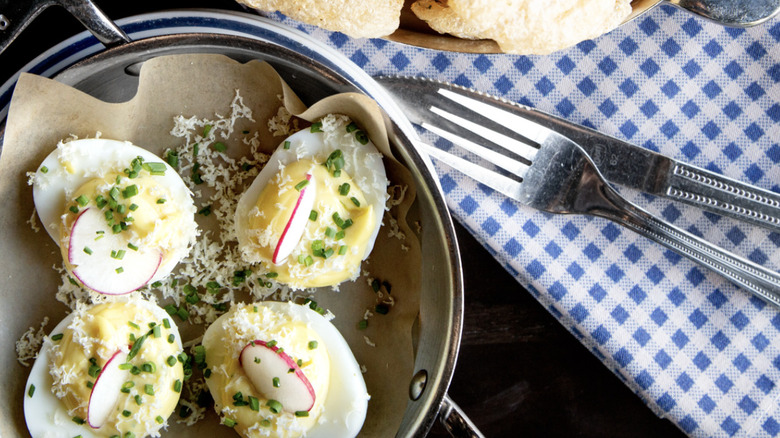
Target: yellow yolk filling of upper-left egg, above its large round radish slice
145,214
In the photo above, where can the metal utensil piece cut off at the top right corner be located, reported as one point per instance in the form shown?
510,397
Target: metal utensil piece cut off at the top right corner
737,13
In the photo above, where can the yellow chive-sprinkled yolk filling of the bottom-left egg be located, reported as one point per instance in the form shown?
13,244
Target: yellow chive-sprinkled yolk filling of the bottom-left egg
91,340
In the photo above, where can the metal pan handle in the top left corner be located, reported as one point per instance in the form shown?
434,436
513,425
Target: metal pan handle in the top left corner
15,15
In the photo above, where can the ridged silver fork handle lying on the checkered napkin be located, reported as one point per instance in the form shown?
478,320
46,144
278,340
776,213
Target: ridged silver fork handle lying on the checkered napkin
755,278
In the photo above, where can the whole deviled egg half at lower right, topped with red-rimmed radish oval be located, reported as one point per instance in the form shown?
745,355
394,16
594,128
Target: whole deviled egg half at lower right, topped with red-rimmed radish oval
279,369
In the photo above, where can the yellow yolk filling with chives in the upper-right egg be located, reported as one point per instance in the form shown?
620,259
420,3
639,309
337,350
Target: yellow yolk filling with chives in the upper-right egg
333,243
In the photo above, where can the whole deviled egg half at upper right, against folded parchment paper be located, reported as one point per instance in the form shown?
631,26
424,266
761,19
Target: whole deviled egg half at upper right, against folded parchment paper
313,212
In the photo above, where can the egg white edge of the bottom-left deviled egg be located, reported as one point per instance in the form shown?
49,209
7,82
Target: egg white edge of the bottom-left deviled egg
45,414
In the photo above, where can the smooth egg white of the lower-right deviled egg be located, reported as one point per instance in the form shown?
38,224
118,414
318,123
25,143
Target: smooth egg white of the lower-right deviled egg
345,406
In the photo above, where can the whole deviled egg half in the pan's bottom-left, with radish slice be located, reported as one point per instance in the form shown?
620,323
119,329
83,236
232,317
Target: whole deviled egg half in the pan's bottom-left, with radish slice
112,369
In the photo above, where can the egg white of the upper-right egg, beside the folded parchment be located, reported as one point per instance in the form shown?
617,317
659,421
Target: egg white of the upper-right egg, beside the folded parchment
362,162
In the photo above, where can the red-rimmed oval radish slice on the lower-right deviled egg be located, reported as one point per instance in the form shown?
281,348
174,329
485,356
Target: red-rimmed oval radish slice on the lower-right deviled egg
277,376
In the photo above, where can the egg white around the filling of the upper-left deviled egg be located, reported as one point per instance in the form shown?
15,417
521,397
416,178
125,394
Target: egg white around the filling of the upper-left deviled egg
96,157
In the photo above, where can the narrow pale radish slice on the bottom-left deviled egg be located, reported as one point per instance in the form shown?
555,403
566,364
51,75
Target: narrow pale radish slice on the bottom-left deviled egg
106,390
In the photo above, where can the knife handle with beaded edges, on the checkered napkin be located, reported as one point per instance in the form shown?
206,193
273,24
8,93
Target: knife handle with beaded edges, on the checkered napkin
724,196
